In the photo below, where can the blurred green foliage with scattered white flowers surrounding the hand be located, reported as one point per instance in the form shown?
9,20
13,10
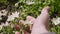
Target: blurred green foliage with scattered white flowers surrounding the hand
12,11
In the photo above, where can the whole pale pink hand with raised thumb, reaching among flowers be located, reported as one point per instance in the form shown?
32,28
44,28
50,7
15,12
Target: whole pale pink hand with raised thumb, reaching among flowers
40,24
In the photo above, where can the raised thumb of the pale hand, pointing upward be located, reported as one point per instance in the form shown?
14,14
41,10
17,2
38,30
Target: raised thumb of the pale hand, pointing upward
44,14
